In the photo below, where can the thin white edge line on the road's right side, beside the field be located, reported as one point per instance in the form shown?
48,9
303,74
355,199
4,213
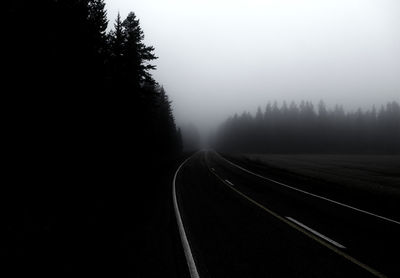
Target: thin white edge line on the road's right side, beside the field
311,194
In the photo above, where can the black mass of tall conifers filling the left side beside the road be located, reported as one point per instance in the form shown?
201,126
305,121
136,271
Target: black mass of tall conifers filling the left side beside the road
88,136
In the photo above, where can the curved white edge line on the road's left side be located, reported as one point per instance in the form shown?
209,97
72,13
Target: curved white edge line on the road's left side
186,247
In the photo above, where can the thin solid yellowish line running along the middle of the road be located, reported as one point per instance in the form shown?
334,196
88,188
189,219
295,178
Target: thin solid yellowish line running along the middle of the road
306,232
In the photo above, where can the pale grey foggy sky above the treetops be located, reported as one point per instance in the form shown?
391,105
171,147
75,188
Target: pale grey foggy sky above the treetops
220,57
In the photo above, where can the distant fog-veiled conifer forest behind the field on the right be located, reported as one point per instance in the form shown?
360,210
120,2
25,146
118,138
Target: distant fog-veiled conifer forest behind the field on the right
305,129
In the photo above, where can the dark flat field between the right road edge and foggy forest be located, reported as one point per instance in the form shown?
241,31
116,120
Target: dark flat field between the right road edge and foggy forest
373,173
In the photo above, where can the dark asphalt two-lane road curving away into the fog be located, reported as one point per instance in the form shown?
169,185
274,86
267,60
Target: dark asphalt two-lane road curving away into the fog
238,223
